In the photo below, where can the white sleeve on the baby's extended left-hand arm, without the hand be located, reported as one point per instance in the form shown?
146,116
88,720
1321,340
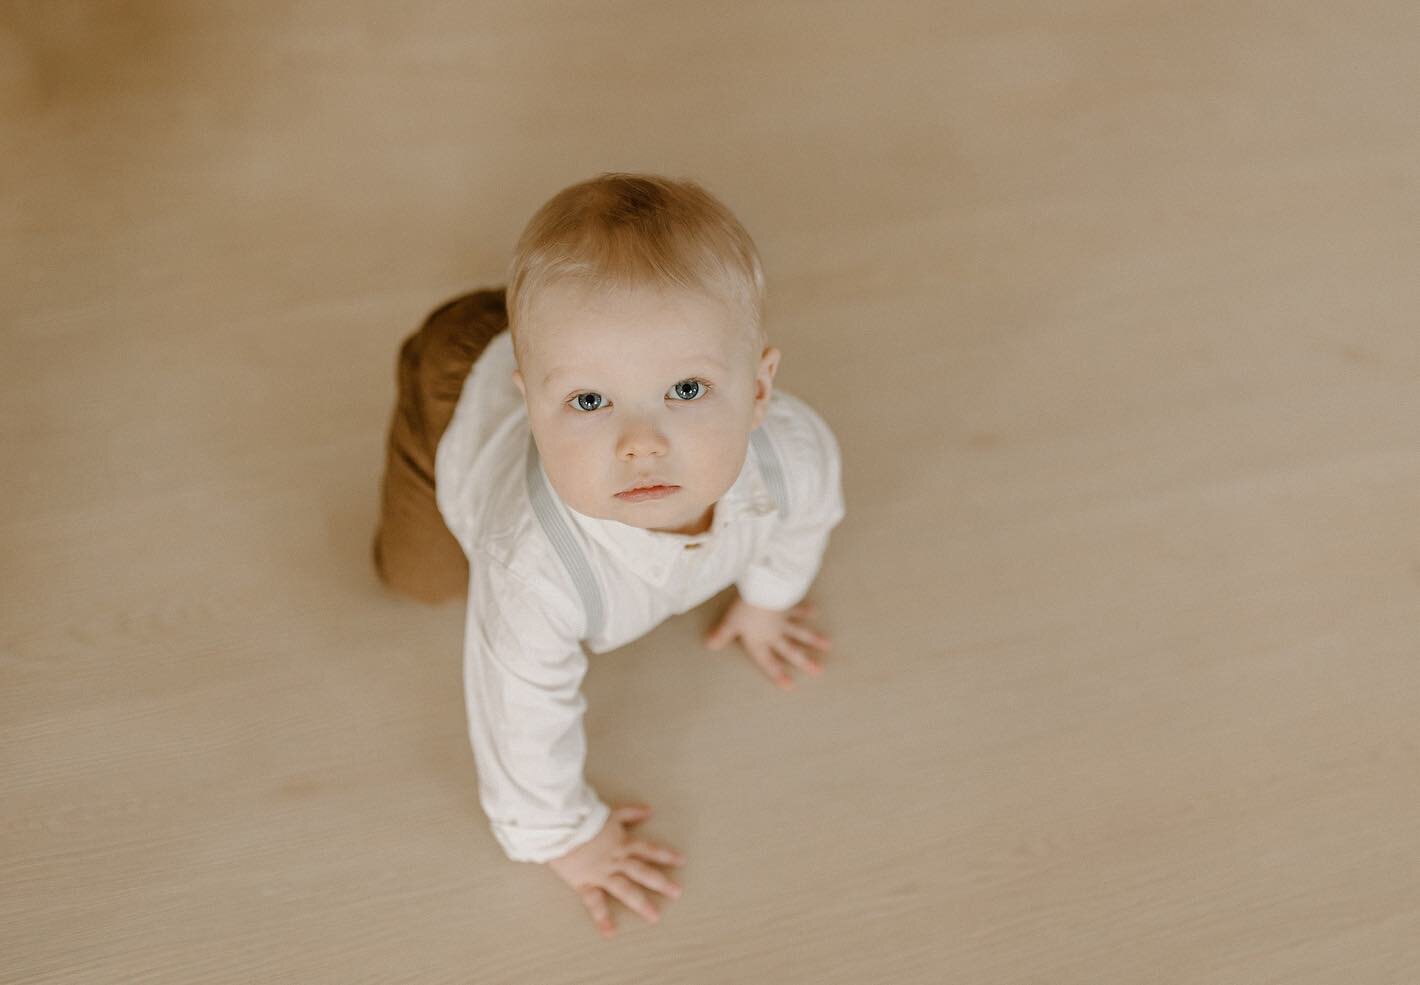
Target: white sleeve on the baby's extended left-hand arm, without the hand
523,672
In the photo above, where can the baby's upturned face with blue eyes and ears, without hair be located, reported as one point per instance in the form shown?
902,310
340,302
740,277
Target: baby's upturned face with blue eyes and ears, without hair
637,390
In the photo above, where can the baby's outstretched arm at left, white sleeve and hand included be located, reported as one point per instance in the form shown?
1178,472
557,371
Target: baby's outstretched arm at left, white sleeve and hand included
523,675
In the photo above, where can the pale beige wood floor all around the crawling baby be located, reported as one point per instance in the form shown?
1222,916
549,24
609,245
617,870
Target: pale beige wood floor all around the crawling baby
1113,307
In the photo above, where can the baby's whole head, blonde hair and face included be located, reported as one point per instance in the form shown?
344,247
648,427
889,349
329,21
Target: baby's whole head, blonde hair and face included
635,306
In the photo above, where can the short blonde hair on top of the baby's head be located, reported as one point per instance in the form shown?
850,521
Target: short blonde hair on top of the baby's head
621,232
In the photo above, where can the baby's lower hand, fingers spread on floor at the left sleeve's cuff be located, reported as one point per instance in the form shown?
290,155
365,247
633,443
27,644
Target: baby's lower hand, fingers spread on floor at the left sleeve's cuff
614,864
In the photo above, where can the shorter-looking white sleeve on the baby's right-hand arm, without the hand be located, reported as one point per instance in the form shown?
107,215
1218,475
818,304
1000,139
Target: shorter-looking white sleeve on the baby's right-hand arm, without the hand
785,570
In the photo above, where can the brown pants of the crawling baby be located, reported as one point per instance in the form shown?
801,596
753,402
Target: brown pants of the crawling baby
415,554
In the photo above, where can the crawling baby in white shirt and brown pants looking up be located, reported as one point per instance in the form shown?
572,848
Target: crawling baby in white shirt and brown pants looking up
616,458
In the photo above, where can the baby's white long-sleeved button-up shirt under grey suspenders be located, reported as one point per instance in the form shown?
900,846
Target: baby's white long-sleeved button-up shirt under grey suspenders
523,658
